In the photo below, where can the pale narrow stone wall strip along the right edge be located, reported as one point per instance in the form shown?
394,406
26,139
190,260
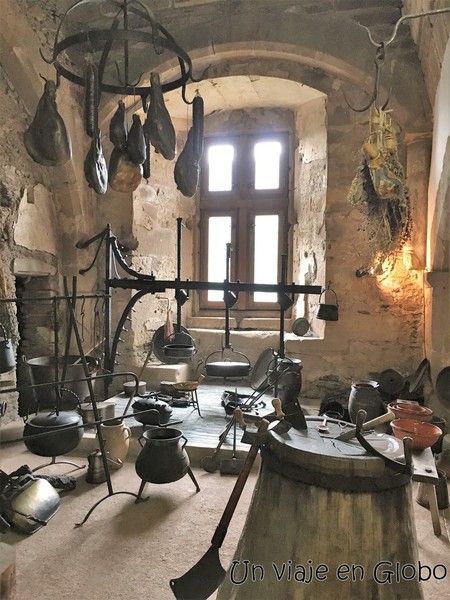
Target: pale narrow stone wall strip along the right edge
432,35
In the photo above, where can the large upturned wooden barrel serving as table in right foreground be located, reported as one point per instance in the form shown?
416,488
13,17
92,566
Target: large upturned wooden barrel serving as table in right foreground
326,520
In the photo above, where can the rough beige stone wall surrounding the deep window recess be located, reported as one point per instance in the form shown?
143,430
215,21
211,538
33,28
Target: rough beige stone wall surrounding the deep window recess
312,43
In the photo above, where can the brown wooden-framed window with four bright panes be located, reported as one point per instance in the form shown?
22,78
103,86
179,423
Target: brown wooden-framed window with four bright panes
244,201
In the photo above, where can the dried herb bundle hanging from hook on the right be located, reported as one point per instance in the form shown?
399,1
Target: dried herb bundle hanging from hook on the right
379,190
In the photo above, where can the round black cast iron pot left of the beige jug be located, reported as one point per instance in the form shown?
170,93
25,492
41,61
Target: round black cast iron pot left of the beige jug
63,432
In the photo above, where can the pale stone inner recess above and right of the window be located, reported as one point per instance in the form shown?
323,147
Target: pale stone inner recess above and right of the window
274,104
